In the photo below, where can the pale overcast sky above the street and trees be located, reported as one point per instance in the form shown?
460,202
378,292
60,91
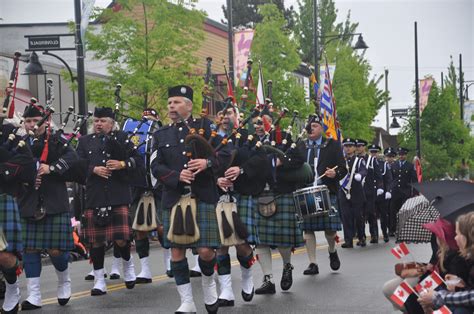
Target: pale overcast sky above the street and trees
445,28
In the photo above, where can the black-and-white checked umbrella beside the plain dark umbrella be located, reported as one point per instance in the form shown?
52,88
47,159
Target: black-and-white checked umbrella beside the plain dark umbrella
415,212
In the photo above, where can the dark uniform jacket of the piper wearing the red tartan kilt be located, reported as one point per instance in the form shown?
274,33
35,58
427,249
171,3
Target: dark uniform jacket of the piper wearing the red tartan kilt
97,149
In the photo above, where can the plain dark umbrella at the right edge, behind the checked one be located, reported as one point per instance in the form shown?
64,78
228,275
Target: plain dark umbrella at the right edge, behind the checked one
451,198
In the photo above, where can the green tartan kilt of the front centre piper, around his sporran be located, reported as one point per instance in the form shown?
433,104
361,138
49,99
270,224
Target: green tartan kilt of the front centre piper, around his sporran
207,222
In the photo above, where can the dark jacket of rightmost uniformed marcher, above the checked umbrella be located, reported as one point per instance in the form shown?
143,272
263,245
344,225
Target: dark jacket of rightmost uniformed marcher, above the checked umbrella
403,174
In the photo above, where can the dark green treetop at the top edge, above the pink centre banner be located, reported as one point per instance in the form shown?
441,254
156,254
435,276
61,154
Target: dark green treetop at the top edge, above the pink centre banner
245,12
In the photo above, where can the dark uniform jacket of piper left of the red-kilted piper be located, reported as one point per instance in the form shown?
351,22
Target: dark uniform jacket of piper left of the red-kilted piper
52,193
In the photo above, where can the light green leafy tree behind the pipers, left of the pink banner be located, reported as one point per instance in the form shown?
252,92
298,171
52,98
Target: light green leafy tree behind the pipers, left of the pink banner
148,46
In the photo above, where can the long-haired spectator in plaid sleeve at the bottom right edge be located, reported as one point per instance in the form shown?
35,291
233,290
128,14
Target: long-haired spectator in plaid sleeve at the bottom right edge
459,296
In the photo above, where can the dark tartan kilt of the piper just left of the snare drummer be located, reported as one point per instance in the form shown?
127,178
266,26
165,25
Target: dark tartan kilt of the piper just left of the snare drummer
280,230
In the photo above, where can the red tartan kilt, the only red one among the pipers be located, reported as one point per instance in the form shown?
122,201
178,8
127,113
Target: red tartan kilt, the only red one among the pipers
119,228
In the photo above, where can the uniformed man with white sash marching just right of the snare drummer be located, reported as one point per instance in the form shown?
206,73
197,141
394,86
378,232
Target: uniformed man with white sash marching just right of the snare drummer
352,196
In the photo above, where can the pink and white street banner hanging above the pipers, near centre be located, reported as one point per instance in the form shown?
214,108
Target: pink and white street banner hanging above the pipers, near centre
242,43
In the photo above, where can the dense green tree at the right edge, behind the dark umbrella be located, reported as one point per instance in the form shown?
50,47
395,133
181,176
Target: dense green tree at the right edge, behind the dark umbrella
445,140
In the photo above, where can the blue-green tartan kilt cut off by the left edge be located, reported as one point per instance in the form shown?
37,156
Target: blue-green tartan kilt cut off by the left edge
10,223
